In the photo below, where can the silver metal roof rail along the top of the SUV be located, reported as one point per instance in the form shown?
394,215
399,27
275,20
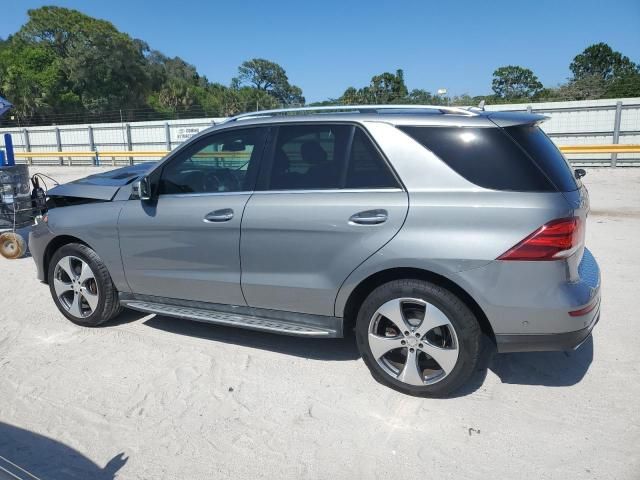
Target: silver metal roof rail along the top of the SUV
350,108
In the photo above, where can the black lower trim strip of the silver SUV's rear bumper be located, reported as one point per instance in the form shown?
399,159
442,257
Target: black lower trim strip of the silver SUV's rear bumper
546,343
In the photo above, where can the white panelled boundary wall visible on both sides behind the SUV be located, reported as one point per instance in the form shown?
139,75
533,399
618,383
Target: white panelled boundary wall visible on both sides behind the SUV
571,123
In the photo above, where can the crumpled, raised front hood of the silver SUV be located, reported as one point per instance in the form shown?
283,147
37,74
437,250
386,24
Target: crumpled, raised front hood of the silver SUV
102,186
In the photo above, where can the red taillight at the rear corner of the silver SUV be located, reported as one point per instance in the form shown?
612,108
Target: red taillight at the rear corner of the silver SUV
553,241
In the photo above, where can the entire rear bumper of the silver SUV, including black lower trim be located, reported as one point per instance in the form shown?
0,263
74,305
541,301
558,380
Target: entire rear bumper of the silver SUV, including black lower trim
538,306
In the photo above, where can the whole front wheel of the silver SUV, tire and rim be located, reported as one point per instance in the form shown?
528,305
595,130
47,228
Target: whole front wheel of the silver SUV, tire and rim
81,286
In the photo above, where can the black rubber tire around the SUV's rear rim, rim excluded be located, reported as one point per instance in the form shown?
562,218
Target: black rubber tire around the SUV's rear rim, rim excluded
464,322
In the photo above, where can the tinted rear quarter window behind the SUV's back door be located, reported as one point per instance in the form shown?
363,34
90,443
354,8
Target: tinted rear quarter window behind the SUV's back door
485,156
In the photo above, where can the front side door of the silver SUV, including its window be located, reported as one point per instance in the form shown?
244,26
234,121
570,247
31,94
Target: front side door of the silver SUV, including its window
184,243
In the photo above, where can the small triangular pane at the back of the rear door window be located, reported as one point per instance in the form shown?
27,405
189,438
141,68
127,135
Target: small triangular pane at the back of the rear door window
367,169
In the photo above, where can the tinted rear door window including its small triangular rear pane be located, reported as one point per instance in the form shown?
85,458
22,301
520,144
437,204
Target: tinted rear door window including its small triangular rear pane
318,157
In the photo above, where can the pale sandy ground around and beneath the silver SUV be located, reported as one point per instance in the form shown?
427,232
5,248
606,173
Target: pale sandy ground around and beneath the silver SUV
152,397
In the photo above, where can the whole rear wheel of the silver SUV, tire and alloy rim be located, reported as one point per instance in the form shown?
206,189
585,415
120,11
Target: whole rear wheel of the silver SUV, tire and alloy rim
418,338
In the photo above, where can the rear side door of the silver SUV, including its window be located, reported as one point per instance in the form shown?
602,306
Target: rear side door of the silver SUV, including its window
326,200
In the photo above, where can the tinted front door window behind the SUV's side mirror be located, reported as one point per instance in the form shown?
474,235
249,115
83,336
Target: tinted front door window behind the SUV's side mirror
215,164
